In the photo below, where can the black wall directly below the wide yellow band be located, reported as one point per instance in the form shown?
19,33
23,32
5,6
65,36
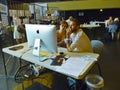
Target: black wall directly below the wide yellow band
93,14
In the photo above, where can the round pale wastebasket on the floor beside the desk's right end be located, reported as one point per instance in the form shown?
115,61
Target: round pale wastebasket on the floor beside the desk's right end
94,82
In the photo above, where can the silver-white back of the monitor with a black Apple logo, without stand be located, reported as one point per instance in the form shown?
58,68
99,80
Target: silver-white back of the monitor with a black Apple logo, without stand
46,34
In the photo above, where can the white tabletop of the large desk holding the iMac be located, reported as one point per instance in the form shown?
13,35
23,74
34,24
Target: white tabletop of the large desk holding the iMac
26,54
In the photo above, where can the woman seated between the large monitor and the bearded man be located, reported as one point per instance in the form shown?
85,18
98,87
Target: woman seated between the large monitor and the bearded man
61,34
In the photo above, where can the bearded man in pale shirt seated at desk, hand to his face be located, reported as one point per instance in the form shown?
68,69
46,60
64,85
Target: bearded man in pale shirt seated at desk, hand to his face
76,39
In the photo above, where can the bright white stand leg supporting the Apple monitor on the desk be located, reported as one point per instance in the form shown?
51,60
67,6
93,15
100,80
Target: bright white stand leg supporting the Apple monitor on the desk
36,48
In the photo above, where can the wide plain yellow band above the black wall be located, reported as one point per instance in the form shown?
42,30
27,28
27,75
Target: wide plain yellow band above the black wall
85,4
